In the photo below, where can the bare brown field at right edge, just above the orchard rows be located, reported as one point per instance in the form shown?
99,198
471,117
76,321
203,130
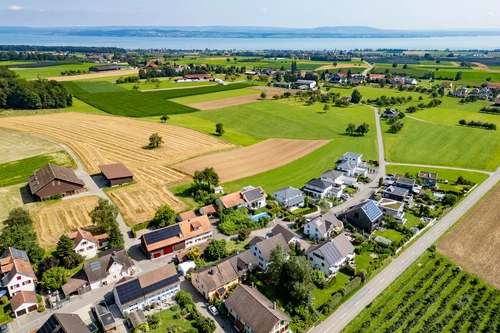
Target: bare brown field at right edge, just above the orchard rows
475,243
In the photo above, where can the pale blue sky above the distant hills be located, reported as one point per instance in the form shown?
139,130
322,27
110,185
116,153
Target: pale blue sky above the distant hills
384,14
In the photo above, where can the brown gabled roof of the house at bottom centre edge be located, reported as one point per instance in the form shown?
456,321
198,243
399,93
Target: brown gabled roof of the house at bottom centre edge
255,309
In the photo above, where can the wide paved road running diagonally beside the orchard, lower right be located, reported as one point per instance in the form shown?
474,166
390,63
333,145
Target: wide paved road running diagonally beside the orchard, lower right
349,310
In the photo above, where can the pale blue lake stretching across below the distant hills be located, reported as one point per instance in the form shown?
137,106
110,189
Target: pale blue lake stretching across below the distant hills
431,43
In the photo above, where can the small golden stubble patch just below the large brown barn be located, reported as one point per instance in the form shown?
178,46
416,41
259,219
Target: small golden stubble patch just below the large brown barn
52,221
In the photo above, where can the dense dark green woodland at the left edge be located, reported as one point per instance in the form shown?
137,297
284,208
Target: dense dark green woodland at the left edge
16,93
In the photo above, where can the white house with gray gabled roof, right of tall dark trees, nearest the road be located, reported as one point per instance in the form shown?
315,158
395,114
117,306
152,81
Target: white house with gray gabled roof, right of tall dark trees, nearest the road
331,255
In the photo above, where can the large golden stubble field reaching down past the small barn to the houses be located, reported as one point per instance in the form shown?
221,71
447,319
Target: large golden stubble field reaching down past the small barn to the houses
101,140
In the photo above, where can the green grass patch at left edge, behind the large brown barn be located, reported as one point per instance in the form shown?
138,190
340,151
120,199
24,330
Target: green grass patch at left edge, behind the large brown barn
16,172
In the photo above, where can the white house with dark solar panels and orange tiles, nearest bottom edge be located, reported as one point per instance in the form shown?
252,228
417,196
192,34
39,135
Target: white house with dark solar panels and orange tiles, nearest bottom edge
157,286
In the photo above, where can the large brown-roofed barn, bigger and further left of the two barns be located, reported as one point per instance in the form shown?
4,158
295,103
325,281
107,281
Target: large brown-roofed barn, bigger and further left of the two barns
53,180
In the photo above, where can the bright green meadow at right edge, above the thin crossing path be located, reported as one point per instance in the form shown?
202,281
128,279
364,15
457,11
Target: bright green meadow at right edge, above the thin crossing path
445,145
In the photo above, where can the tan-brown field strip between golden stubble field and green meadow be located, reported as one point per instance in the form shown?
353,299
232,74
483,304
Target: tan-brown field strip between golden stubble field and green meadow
249,161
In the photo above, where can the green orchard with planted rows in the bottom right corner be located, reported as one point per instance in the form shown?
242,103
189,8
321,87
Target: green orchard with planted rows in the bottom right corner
431,296
